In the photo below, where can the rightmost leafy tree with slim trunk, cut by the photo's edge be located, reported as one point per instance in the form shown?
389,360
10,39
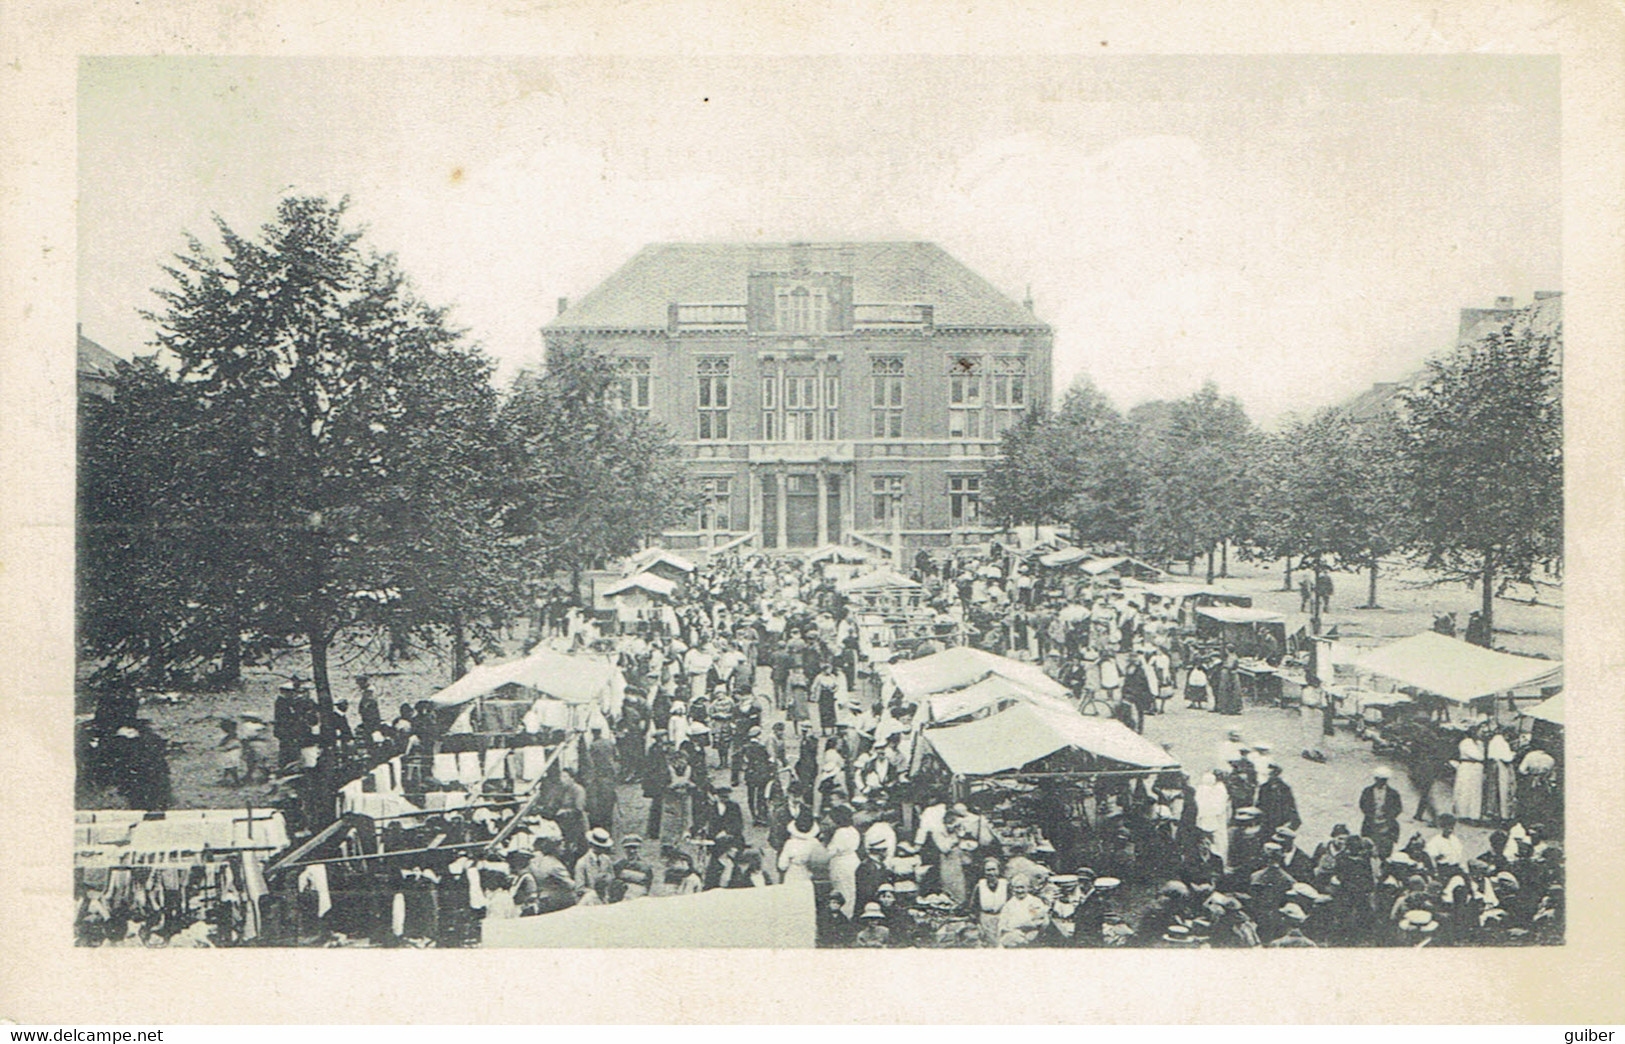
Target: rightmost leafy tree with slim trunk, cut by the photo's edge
1483,450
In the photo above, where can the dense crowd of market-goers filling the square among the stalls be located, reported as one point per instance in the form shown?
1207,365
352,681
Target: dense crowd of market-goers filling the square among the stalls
756,746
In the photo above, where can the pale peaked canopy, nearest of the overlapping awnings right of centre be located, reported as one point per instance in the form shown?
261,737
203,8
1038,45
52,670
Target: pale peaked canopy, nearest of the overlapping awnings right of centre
1025,734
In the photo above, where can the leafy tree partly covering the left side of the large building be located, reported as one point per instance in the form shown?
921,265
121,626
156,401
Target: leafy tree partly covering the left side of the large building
584,481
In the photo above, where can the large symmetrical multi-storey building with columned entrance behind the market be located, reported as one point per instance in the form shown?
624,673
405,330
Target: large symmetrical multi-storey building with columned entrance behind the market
821,391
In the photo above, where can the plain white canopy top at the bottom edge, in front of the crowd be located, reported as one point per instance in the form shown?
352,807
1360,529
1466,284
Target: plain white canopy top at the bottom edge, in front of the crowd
774,918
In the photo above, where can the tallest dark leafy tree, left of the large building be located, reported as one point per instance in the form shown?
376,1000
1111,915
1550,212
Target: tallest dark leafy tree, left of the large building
339,437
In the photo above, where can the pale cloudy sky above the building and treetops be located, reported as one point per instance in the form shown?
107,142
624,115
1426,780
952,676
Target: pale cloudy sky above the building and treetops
1293,228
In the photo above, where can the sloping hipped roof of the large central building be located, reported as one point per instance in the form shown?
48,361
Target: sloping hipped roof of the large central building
664,274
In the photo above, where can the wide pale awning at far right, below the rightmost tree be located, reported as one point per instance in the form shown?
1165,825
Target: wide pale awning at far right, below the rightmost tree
1458,671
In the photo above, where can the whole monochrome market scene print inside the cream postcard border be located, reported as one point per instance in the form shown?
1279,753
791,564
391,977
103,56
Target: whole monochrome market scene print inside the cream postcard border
781,503
